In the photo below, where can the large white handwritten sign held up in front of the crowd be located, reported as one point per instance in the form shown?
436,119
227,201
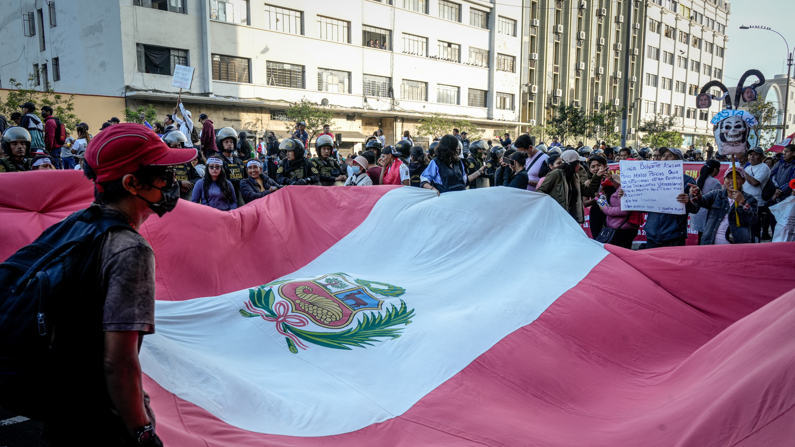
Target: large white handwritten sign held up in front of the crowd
652,186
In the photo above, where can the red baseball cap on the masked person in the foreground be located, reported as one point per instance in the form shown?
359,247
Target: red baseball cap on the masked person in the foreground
125,148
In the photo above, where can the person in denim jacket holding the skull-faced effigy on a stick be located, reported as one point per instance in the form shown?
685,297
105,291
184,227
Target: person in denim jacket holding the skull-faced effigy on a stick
721,227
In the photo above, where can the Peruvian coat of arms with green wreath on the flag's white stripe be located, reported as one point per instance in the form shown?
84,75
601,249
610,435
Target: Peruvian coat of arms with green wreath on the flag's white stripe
347,311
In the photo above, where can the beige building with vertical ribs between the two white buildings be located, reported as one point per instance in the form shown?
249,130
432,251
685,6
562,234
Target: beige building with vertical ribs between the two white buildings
585,53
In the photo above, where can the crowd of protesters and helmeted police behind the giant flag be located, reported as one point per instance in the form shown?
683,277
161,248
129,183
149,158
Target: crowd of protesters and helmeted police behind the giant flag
230,172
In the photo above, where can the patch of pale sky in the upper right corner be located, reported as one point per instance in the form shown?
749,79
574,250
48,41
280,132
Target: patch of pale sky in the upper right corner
760,49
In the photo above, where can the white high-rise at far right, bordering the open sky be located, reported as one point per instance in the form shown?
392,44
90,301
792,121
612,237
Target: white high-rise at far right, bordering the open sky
685,47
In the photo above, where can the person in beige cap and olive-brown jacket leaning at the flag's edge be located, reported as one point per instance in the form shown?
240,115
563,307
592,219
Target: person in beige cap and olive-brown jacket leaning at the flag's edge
568,188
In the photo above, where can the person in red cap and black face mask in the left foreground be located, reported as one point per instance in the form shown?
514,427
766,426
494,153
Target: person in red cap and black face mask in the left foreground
132,170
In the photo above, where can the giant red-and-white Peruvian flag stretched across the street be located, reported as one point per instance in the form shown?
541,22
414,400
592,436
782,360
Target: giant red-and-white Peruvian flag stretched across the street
389,316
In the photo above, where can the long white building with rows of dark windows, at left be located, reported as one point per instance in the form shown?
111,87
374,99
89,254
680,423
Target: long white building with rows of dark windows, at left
375,64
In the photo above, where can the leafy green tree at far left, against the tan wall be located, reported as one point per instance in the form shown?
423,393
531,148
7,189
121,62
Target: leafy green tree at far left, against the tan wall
63,107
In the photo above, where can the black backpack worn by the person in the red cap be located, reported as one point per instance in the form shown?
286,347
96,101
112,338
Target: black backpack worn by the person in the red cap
54,268
